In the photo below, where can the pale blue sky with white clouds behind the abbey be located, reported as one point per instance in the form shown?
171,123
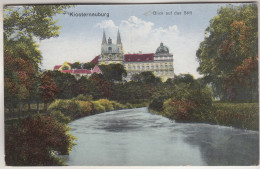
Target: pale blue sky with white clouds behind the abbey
181,27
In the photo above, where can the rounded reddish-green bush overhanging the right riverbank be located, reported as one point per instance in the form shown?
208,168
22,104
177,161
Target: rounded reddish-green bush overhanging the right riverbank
189,104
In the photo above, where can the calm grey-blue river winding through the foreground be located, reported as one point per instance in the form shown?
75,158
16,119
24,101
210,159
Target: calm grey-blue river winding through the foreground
136,137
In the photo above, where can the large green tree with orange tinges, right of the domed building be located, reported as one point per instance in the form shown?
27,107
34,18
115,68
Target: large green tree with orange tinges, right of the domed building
230,39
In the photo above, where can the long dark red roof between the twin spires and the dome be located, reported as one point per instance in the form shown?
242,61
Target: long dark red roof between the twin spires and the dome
139,57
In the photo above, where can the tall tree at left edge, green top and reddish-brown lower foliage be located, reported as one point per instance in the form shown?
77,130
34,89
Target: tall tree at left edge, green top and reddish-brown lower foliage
22,24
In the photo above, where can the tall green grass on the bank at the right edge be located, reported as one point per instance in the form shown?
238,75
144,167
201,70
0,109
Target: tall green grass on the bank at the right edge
242,115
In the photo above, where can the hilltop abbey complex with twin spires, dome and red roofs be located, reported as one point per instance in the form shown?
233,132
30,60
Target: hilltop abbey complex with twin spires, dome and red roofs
160,62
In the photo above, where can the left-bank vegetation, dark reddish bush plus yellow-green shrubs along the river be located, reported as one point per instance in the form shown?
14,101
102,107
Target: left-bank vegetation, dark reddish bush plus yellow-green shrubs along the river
38,139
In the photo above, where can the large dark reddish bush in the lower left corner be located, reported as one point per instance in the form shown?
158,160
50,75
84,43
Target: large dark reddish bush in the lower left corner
32,142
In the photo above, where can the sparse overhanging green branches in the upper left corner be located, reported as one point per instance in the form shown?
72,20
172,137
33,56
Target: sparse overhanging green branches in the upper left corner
21,21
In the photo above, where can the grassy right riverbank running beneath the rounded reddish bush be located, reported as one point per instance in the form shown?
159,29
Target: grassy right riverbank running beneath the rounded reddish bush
239,115
